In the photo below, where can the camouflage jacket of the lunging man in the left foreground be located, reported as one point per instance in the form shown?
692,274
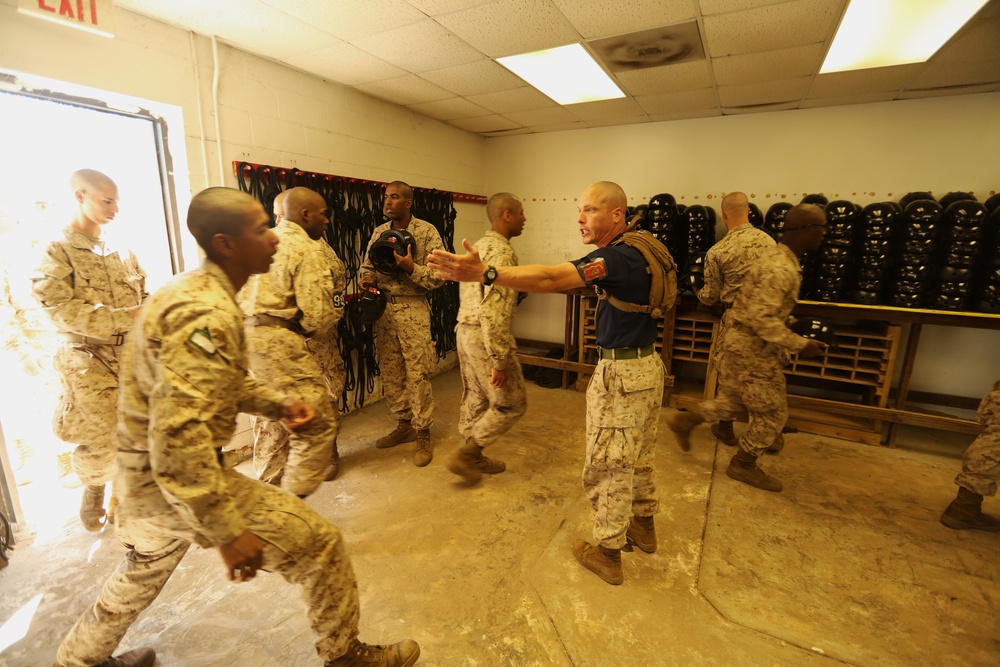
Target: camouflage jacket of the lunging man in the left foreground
183,380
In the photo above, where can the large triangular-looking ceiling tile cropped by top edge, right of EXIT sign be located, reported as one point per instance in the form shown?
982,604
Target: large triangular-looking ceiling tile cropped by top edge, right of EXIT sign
347,19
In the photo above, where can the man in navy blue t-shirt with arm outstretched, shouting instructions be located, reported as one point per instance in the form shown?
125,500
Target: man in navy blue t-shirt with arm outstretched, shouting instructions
626,390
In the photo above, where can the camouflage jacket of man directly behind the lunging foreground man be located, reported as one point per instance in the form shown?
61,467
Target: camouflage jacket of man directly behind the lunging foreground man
299,287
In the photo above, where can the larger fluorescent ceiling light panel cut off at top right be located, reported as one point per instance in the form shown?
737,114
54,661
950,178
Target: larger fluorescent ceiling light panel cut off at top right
880,33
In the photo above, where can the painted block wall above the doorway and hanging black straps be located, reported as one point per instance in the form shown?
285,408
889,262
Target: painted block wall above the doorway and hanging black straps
268,113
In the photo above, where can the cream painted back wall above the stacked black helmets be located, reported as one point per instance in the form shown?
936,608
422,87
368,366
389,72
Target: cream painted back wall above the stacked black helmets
863,153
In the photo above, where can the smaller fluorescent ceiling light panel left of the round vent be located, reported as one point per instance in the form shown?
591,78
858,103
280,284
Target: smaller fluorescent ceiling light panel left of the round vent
567,74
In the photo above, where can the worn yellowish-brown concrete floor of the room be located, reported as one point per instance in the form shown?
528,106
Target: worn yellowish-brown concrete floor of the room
848,565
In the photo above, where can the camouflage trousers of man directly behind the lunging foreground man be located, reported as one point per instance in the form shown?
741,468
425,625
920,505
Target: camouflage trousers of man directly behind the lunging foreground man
281,359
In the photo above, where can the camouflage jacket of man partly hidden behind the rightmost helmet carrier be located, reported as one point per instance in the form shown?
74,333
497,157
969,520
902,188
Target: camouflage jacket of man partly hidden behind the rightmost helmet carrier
727,263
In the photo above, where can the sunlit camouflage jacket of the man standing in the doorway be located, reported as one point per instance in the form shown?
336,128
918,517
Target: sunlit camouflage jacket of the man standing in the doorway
86,288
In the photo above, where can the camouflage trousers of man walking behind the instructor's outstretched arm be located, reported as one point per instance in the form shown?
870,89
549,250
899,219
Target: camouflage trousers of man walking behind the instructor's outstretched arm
487,412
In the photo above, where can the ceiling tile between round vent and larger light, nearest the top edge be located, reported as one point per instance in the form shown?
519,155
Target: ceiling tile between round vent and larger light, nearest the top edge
784,25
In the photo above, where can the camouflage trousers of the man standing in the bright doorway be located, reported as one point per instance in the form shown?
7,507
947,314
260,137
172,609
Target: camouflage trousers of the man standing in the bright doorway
87,414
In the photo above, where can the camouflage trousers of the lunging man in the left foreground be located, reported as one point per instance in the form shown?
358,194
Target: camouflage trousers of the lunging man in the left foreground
300,545
